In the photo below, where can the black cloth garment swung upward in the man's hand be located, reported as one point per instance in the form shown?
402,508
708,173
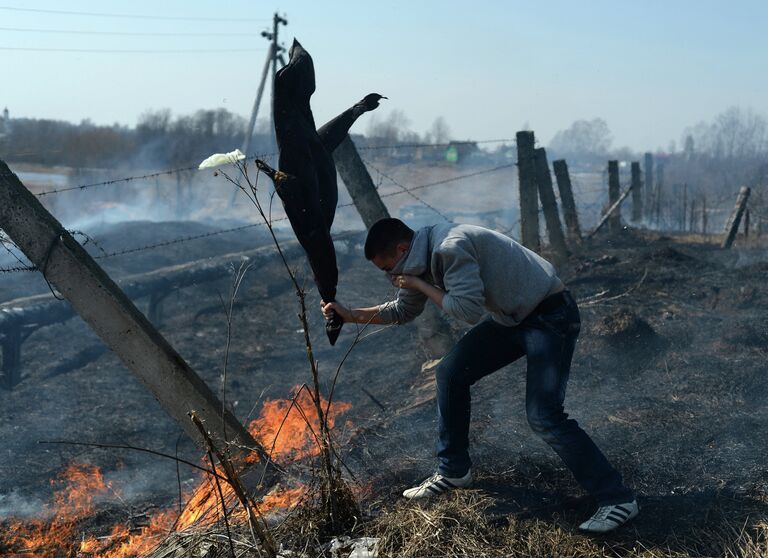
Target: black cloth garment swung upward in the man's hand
307,182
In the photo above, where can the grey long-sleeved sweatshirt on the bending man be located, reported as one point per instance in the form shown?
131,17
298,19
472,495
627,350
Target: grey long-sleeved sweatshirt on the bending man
482,271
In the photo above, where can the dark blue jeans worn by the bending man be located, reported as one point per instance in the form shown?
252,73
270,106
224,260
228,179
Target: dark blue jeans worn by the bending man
547,339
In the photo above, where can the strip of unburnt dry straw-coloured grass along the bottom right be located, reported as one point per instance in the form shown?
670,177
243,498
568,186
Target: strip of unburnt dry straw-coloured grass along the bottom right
461,526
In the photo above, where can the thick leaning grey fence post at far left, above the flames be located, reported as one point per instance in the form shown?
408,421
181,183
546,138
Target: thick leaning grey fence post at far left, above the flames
111,314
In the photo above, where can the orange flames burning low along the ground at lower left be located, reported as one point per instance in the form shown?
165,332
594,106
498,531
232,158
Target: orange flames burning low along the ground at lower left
281,428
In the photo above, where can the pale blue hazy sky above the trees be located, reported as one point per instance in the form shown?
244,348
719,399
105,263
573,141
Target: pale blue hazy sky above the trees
488,67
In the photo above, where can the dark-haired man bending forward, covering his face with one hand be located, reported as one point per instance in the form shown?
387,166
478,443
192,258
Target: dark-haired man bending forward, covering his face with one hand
471,272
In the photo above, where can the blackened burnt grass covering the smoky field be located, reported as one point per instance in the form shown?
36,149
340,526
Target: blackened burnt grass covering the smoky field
669,378
